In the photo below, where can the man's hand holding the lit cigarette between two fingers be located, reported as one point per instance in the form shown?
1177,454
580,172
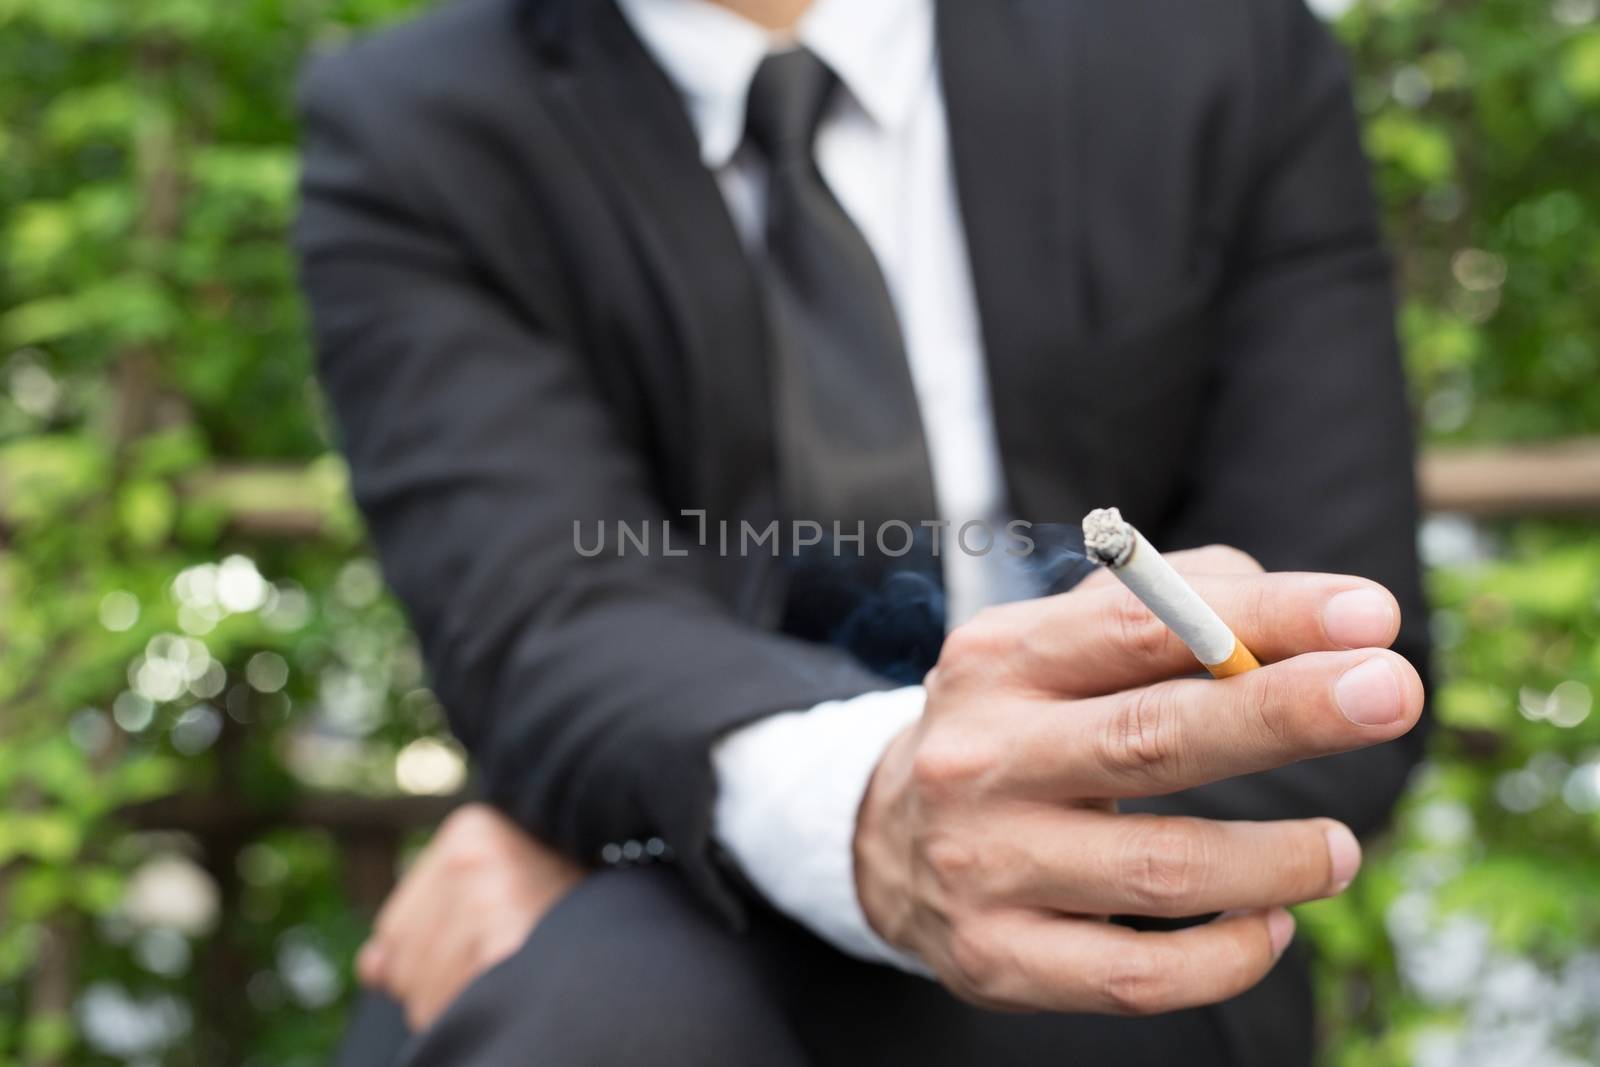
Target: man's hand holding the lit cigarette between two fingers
990,842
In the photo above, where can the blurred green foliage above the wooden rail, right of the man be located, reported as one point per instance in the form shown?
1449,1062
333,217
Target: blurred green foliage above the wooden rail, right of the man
1484,121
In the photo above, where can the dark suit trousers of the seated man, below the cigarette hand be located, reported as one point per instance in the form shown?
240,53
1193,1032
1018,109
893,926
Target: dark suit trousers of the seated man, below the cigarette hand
631,970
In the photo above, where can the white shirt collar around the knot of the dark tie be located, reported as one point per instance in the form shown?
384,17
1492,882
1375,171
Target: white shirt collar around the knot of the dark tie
879,49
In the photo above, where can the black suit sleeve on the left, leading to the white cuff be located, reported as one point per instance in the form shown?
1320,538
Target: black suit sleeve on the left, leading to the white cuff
590,690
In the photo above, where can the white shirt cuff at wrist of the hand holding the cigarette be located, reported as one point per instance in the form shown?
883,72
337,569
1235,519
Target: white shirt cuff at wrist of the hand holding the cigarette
788,793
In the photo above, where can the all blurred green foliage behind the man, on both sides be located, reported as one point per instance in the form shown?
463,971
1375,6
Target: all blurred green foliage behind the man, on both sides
151,337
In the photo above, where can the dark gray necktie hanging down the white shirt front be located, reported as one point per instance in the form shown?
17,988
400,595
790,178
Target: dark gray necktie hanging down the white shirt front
849,431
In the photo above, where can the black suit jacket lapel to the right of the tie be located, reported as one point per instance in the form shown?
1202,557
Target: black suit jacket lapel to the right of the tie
1015,105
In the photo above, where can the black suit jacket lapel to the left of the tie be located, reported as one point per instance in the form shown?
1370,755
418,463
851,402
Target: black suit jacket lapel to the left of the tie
617,103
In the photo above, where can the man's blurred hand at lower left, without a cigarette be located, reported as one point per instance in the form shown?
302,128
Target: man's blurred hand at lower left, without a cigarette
470,901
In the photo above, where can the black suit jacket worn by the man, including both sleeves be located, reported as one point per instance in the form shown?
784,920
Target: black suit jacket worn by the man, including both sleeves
532,308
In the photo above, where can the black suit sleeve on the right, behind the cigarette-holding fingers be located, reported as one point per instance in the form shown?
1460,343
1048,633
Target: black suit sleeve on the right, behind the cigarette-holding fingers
1306,458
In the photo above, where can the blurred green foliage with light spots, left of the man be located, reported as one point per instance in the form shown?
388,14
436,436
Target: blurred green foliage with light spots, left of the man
151,332
